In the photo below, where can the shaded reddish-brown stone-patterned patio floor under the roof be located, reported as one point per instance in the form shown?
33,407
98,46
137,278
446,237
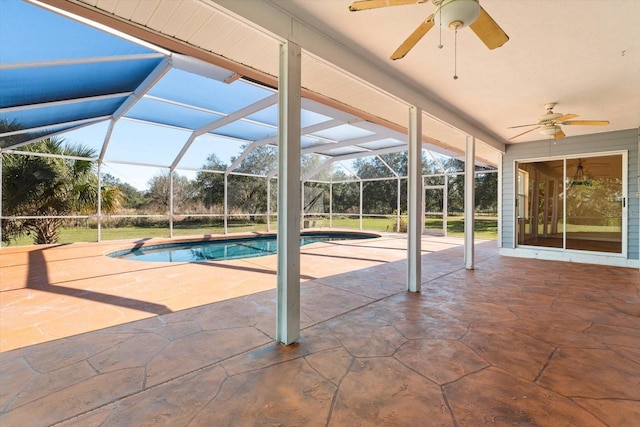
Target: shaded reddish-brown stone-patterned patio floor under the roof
510,342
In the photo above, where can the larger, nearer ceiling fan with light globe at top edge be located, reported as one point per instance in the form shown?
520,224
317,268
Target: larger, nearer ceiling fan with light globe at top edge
453,14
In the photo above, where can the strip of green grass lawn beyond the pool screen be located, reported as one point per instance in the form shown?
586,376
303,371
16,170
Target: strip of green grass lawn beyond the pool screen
486,228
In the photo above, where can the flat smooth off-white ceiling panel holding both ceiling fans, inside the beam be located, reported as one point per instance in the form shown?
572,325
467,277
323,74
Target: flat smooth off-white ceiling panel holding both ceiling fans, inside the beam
583,54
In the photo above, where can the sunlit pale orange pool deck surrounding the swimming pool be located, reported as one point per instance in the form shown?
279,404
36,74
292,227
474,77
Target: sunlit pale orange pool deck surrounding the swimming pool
47,291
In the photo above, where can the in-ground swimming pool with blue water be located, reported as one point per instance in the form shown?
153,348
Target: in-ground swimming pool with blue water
225,249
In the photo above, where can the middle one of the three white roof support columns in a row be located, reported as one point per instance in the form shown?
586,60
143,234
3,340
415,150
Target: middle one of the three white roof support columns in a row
414,202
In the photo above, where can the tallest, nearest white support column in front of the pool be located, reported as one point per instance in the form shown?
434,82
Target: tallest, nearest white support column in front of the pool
289,104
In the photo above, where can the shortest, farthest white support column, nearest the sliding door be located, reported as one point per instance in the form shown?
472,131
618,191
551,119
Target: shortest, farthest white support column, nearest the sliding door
469,201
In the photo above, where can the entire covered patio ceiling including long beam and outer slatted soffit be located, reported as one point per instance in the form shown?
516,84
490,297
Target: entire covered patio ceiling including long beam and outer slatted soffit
583,54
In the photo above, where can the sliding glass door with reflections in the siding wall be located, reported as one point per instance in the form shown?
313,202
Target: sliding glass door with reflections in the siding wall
571,203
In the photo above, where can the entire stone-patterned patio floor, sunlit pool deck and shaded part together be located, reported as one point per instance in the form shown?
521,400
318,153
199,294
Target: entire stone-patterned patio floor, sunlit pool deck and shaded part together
88,340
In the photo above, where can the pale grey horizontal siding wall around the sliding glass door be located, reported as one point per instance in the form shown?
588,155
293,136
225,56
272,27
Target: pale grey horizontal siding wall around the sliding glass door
574,146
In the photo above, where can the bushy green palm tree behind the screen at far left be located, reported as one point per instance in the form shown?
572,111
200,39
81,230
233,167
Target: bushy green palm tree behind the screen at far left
50,188
